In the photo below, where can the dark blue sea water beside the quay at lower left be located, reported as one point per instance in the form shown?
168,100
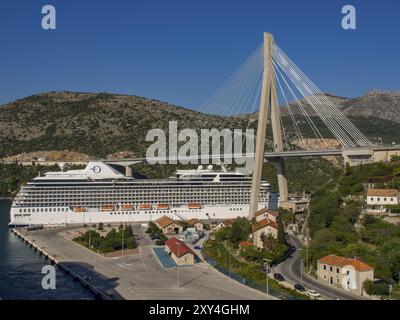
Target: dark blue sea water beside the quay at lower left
20,270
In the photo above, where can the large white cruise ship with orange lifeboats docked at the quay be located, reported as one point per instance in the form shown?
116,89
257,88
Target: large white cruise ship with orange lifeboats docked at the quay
100,193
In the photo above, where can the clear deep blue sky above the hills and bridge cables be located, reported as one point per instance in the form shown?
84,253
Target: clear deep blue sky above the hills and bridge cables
180,51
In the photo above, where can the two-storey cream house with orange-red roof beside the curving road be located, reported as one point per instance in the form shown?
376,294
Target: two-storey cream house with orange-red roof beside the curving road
345,273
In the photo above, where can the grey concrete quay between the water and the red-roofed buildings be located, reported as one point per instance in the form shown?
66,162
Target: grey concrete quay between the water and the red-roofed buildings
136,277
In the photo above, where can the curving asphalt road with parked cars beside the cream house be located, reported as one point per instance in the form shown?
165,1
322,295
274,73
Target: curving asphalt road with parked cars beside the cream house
291,270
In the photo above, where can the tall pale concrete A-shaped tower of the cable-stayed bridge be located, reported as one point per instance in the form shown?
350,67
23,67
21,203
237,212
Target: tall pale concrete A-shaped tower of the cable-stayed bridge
268,102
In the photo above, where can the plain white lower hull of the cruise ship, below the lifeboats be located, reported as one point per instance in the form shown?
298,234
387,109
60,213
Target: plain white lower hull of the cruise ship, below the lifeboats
69,216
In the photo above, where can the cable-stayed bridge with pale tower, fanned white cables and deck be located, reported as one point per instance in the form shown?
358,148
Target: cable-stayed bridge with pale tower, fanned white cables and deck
293,118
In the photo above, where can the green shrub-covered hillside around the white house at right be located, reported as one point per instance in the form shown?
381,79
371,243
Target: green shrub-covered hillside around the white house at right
336,227
